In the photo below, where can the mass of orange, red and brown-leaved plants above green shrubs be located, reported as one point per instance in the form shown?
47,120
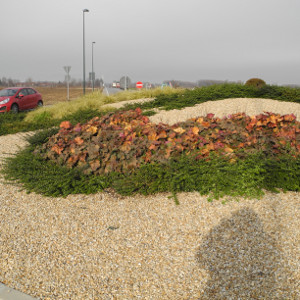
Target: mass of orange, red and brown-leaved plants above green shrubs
123,141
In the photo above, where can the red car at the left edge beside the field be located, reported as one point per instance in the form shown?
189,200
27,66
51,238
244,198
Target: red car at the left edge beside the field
16,99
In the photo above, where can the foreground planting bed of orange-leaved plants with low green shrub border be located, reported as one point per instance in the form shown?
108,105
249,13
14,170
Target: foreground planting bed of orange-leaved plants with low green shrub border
235,156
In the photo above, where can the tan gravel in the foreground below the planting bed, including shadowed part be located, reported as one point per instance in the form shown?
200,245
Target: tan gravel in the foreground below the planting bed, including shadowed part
104,246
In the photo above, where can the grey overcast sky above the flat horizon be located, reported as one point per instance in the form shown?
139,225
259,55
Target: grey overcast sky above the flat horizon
152,40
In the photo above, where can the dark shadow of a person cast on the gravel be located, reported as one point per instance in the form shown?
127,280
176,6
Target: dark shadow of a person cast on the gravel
242,260
